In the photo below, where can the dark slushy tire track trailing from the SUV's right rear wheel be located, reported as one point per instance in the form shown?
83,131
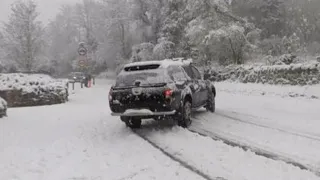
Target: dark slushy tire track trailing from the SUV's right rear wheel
256,150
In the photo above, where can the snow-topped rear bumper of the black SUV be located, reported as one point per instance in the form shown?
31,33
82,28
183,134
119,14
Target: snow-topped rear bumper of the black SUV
143,112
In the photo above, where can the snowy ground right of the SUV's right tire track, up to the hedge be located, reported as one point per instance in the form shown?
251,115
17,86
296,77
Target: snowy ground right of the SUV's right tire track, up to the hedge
288,127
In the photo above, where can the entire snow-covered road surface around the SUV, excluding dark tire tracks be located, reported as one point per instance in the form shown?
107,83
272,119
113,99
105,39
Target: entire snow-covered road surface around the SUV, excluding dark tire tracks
80,140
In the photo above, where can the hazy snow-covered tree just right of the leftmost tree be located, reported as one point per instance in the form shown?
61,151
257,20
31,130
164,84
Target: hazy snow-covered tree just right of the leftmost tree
63,36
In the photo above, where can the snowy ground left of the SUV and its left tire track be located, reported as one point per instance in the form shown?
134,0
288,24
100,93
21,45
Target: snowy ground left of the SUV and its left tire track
79,140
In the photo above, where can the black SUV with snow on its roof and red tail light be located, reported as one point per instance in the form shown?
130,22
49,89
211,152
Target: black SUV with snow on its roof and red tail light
159,89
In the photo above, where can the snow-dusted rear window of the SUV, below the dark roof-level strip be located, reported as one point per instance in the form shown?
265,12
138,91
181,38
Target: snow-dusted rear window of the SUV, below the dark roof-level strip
146,78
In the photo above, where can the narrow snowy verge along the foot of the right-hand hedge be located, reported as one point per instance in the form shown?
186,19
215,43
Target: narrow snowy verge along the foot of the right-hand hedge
310,91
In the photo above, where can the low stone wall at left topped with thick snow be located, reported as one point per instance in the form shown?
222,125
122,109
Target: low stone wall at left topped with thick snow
32,90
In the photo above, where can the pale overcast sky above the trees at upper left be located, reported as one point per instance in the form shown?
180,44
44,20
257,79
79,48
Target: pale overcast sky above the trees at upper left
47,8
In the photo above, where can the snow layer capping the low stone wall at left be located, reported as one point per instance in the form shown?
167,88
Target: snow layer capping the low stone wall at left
29,82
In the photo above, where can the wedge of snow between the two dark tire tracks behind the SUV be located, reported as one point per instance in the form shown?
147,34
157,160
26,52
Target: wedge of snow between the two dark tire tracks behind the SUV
220,160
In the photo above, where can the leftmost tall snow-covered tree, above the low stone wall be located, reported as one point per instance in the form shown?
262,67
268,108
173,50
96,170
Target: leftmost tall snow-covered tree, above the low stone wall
23,35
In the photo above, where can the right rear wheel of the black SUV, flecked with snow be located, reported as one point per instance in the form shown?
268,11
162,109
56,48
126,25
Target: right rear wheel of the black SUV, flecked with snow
184,117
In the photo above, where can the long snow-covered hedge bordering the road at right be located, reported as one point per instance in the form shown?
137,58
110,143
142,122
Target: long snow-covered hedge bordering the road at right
293,74
